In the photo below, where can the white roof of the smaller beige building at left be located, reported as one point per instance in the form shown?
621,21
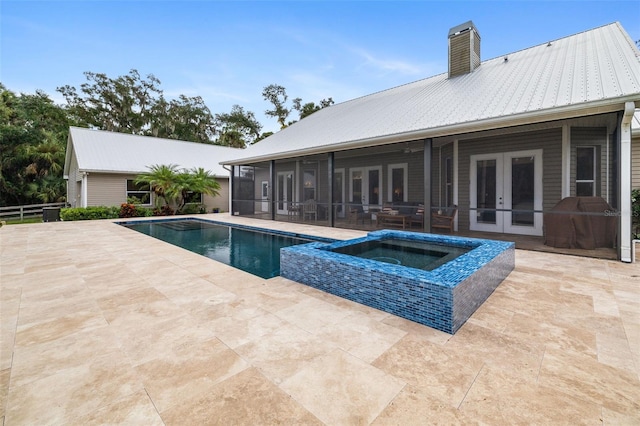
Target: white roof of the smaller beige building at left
111,152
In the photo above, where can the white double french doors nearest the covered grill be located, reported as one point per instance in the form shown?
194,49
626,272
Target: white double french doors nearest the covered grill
506,192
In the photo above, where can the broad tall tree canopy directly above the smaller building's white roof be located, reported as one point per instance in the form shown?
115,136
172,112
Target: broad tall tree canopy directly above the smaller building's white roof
136,105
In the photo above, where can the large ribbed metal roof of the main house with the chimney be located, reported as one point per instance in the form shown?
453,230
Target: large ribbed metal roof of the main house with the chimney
588,73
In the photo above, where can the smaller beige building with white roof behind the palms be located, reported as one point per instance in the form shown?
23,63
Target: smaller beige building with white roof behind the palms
100,167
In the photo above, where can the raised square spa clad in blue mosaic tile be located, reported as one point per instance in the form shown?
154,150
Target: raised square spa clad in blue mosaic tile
384,270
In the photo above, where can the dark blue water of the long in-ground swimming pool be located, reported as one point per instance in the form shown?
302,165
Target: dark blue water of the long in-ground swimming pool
249,249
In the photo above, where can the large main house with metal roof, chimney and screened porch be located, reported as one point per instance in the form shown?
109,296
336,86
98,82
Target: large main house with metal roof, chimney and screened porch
504,140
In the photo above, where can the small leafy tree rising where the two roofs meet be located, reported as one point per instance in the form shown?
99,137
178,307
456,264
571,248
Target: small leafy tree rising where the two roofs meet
238,128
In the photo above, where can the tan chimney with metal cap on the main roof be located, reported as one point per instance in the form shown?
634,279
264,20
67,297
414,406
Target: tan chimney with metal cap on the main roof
464,49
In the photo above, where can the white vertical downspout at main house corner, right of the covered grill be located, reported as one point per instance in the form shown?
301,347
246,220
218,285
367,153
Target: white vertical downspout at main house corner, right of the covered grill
625,182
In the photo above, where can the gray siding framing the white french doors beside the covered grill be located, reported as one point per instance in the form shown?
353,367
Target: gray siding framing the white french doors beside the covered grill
550,141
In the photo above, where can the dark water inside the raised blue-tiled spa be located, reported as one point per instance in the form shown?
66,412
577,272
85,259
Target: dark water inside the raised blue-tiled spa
412,254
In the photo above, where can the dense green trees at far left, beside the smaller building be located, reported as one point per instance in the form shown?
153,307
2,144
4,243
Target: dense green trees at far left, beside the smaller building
33,136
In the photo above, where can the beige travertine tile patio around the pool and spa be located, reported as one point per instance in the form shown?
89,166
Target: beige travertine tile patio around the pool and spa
101,324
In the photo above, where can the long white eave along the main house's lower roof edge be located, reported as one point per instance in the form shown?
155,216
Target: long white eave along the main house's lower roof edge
529,117
